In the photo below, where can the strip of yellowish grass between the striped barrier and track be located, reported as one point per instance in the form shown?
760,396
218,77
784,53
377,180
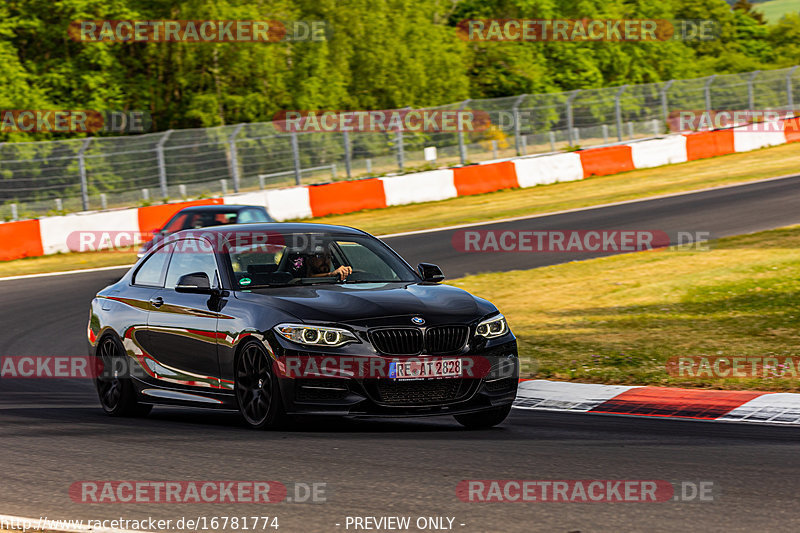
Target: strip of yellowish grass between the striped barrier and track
723,170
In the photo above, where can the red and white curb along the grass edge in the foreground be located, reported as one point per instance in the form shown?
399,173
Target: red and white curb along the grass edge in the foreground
756,407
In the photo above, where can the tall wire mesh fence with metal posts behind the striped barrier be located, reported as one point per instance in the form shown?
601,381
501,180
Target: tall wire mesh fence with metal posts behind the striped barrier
37,178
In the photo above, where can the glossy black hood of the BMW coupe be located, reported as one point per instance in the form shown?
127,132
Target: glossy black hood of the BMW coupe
371,303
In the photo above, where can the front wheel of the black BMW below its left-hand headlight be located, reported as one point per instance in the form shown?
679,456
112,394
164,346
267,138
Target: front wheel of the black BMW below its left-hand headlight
256,388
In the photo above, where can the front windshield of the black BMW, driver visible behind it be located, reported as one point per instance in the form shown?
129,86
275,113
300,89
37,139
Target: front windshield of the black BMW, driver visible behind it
281,259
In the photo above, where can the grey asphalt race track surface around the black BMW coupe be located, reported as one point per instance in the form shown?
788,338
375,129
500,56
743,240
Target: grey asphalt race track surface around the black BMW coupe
53,433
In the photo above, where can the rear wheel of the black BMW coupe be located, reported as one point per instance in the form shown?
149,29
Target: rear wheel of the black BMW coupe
117,394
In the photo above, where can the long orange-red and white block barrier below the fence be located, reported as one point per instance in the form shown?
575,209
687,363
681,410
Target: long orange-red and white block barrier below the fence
32,238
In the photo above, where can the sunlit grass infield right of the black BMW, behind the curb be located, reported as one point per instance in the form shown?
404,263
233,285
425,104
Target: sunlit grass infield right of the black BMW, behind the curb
619,319
